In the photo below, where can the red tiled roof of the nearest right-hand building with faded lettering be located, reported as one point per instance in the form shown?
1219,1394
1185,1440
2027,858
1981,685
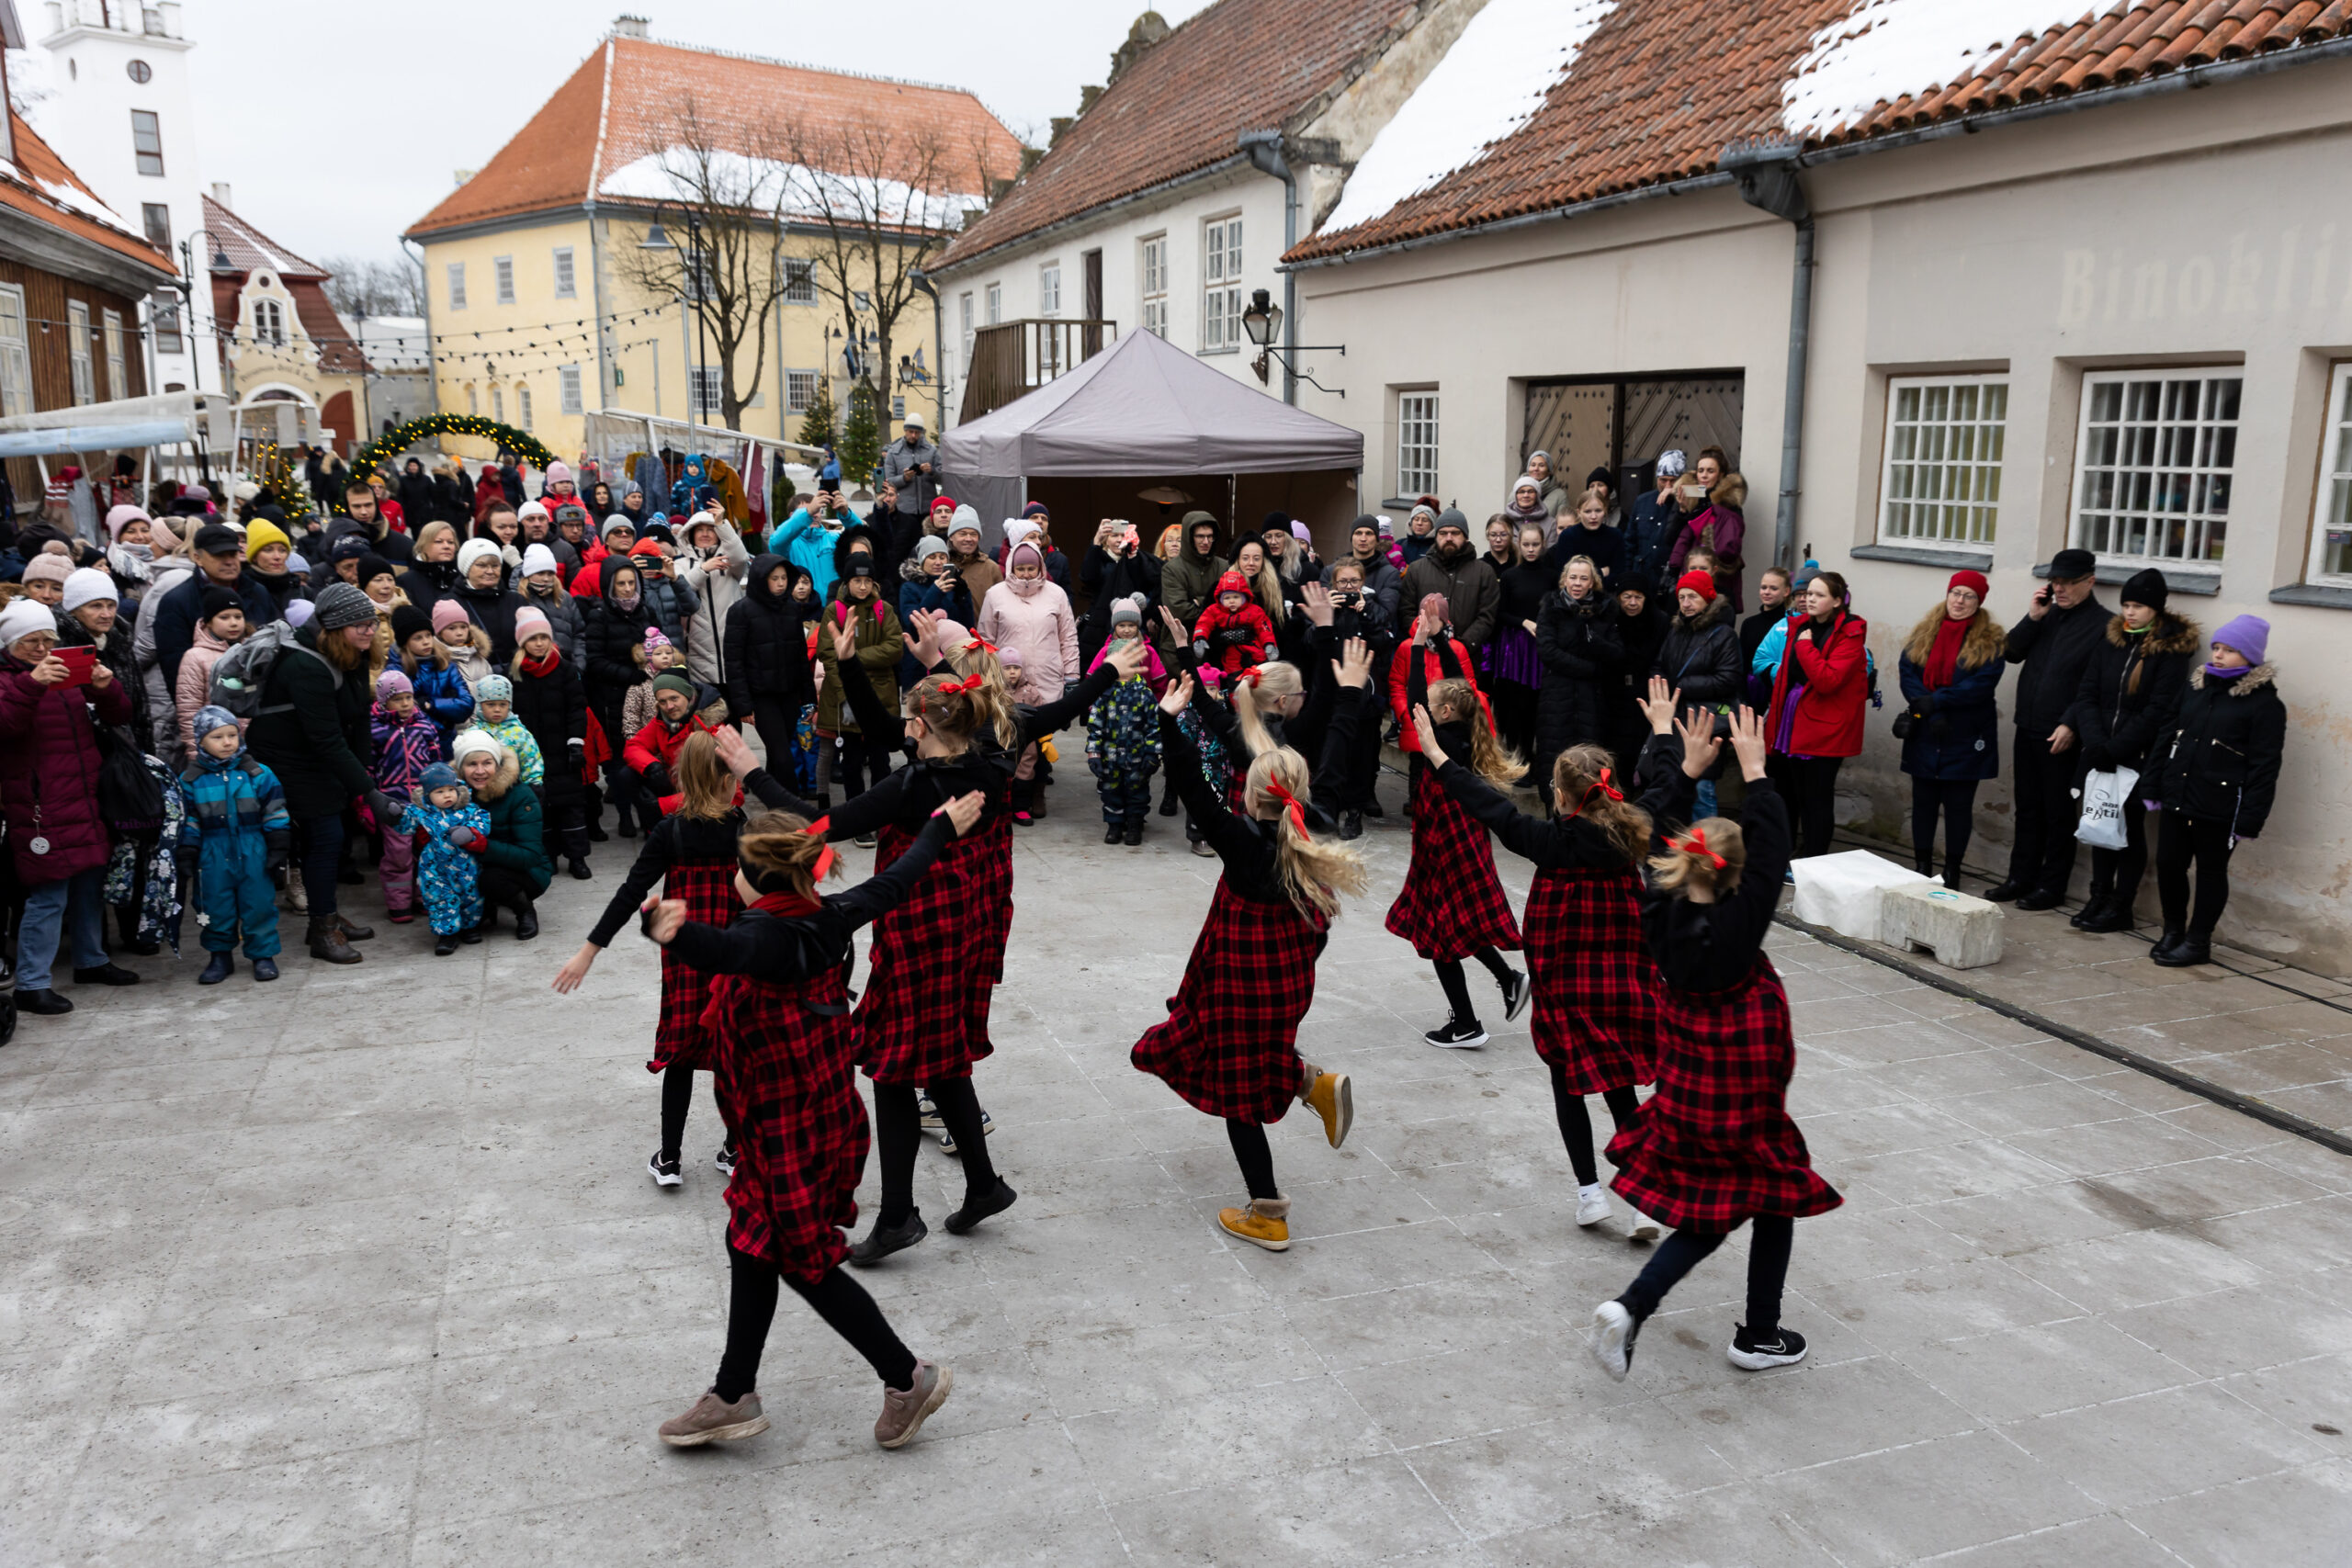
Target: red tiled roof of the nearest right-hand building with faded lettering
1664,86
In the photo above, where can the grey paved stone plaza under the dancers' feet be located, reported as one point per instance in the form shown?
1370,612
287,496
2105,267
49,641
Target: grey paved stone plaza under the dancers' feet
363,1268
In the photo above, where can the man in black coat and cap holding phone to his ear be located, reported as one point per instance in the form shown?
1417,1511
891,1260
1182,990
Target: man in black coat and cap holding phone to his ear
2052,648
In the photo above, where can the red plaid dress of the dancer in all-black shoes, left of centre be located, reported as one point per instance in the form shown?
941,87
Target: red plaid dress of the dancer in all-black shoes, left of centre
926,1007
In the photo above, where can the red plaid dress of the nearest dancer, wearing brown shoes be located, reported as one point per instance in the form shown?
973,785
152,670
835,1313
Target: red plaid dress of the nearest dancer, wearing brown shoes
799,1123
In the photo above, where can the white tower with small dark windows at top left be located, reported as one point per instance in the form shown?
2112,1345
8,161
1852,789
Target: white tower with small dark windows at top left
121,112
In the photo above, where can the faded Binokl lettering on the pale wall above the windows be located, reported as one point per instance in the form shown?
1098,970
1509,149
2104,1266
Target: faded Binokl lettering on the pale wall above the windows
2250,276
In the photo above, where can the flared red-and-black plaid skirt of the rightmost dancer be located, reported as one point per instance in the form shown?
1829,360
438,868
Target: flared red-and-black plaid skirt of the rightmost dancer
1716,1146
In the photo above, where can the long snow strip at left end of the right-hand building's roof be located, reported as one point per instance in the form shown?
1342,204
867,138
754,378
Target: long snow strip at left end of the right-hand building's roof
1485,88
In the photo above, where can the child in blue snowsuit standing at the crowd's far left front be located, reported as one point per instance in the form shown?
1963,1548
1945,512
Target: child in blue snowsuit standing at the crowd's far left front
234,836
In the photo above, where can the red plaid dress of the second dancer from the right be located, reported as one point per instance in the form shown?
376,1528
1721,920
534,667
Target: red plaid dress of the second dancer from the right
1596,984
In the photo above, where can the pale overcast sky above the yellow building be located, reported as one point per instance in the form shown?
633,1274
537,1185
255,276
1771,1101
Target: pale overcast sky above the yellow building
338,126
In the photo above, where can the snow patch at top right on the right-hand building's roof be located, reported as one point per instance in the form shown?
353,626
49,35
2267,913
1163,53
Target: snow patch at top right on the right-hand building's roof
1892,48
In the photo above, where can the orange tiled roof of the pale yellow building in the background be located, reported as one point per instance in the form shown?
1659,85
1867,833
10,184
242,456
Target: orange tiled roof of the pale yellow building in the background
740,105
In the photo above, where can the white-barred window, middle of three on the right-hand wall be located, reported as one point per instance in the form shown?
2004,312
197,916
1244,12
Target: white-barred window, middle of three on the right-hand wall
2153,464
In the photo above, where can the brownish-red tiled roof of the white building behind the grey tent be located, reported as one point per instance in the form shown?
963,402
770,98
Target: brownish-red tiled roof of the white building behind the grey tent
1236,67
